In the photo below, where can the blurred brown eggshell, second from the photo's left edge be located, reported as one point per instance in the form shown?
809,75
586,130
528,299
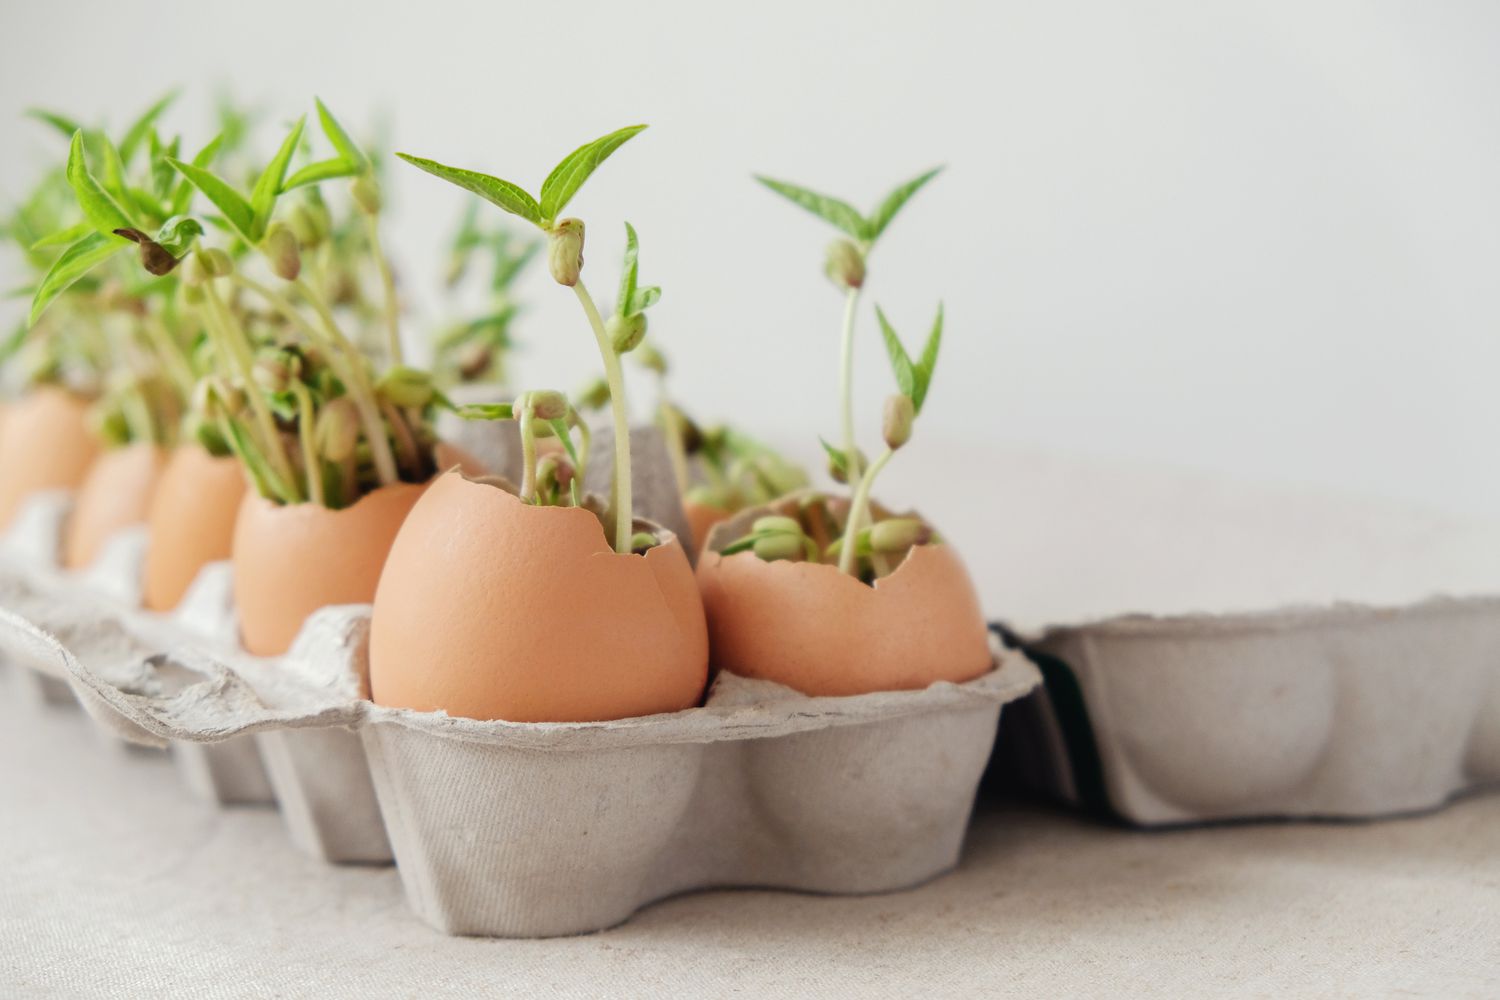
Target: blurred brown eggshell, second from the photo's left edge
116,494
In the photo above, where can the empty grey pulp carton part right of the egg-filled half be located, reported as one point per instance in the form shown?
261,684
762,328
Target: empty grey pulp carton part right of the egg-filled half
1315,713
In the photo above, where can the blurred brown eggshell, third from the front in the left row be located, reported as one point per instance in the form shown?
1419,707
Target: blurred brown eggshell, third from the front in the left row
191,521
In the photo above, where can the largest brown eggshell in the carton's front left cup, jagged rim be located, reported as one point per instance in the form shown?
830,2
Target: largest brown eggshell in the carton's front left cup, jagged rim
497,609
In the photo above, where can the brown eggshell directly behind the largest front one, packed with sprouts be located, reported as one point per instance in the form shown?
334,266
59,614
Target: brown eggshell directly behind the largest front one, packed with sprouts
293,560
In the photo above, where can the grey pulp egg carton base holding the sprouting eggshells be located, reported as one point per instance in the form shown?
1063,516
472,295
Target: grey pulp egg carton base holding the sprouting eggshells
542,830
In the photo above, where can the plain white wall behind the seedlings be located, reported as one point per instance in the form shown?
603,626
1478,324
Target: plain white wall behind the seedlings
1250,238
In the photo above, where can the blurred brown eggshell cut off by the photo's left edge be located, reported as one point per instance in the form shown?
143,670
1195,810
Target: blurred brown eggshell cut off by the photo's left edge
46,443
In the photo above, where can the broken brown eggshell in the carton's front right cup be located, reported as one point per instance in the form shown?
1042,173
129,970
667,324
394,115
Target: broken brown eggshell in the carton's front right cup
823,632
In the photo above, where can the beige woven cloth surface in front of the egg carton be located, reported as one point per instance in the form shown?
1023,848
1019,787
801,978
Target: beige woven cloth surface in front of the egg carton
116,884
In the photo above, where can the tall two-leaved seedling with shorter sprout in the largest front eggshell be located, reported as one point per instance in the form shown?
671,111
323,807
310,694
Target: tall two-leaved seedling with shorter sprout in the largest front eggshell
565,245
